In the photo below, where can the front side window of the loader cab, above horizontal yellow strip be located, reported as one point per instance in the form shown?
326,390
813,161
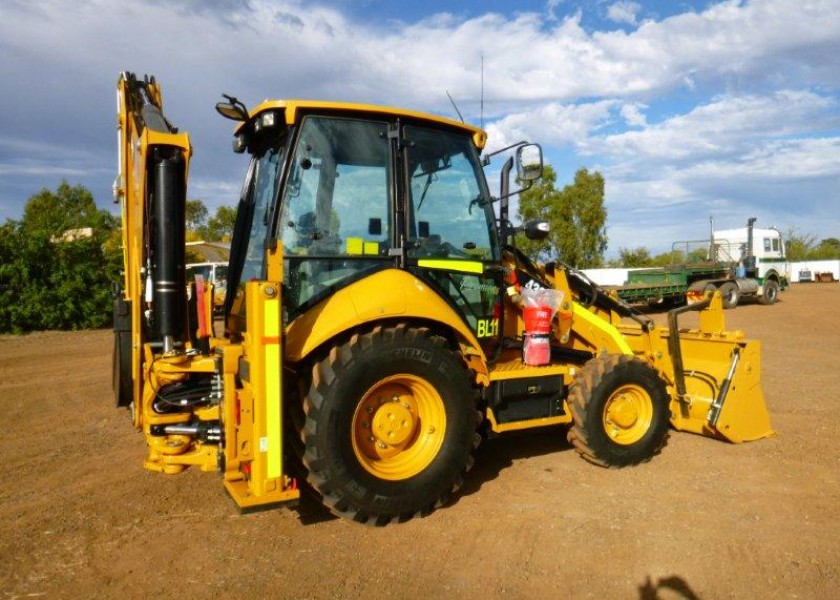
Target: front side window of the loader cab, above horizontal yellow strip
449,213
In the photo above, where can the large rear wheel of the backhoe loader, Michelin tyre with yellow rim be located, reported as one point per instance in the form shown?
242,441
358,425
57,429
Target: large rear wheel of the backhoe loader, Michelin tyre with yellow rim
390,425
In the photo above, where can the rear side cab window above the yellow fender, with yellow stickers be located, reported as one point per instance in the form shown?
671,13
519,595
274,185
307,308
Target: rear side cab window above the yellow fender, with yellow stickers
334,217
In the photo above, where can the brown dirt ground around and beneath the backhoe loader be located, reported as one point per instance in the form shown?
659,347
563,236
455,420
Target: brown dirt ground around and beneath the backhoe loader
81,518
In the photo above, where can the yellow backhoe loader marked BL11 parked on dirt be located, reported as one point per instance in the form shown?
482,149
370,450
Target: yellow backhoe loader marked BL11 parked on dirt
375,317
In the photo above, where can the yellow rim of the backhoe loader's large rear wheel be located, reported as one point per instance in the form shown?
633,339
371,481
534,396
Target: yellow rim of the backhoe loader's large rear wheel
399,427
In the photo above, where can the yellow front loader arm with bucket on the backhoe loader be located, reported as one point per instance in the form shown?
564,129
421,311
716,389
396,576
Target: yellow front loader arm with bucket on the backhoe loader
712,375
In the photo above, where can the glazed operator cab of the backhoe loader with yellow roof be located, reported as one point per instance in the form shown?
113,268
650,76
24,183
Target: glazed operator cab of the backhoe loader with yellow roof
352,191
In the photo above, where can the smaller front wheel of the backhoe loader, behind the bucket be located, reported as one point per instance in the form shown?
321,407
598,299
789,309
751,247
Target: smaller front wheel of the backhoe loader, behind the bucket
620,411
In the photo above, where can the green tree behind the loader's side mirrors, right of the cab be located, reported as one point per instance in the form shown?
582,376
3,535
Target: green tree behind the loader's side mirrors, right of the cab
576,214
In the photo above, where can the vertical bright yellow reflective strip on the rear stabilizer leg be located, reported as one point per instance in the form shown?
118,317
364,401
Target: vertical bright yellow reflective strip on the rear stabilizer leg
272,388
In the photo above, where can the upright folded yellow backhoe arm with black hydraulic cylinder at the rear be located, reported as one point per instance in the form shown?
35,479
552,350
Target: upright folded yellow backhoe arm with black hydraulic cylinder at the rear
151,190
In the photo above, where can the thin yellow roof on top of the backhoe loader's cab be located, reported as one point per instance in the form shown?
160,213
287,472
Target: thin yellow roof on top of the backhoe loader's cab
290,109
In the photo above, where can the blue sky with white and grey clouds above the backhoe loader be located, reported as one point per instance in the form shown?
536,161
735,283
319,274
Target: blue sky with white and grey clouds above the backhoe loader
689,109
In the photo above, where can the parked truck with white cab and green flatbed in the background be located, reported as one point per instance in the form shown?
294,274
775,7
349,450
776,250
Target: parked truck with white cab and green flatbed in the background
746,262
